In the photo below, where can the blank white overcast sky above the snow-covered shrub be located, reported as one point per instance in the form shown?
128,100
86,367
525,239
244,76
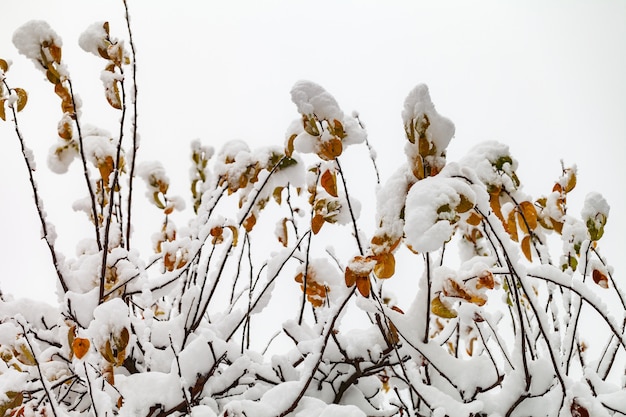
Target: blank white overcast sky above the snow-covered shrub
546,79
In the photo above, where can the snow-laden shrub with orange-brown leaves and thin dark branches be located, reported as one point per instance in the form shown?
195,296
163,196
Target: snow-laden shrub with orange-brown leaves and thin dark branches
243,310
